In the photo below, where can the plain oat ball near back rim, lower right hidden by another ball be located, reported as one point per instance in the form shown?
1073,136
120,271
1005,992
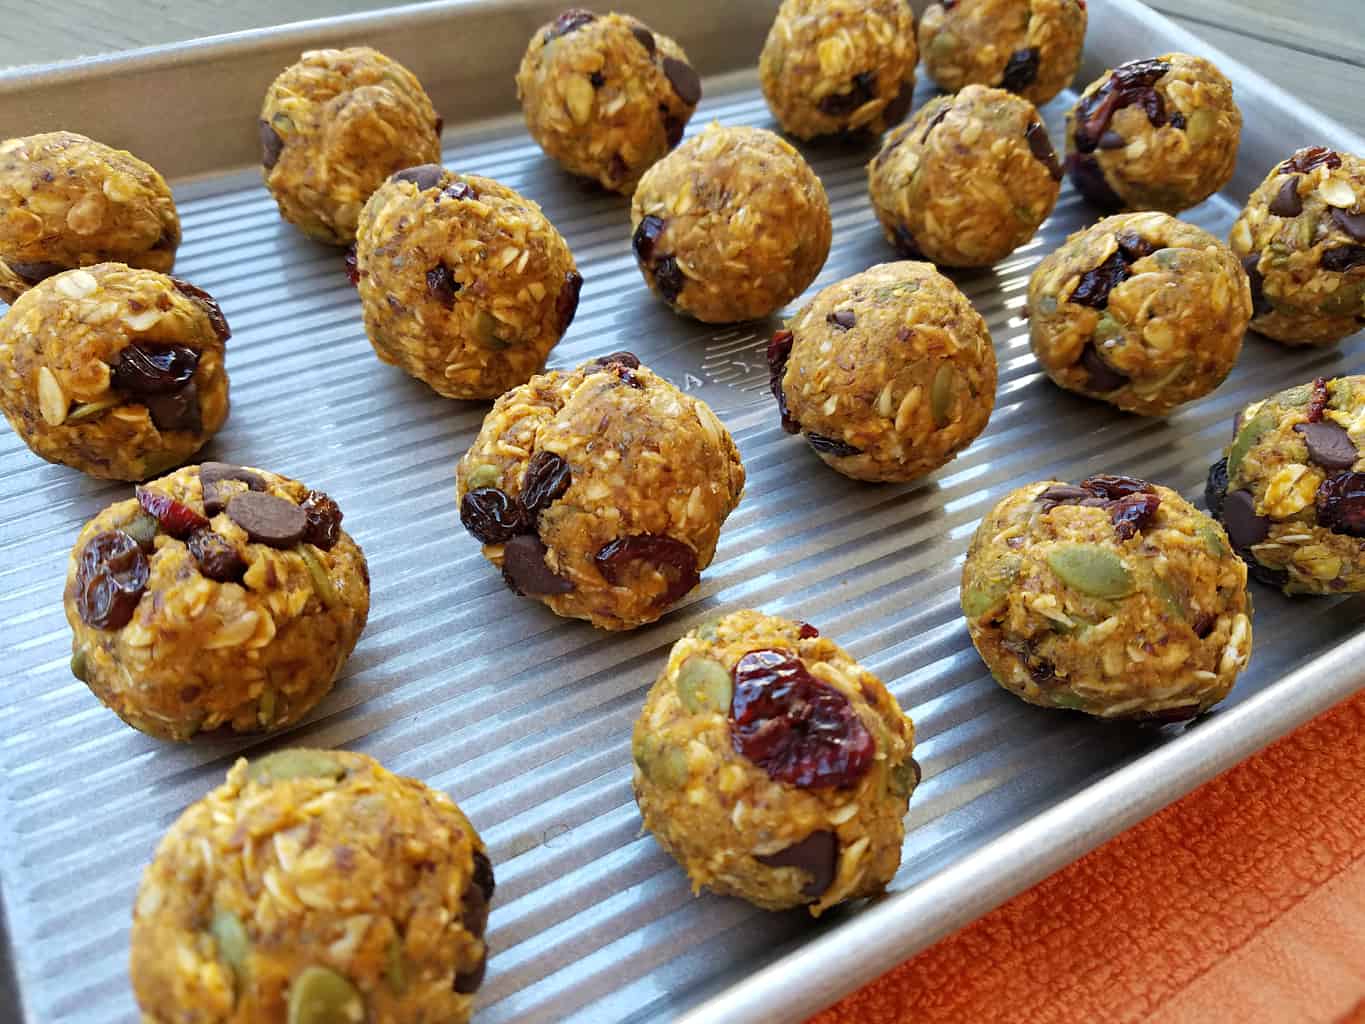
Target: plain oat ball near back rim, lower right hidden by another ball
334,128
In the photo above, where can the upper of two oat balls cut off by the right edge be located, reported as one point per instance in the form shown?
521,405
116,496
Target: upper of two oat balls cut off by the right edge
1302,240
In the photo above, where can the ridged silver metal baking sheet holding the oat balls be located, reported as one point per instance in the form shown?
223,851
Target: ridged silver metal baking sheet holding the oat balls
525,719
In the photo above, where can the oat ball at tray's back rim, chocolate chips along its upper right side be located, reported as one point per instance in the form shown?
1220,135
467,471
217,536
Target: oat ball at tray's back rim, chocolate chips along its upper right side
605,96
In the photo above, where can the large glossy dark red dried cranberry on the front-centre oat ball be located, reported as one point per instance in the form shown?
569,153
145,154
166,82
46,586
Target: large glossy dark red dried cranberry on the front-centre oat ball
796,728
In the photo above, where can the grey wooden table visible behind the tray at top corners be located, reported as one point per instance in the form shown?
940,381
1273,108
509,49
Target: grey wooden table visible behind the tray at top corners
1312,48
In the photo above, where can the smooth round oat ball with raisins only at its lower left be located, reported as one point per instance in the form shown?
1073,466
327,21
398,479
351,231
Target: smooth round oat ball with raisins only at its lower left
731,226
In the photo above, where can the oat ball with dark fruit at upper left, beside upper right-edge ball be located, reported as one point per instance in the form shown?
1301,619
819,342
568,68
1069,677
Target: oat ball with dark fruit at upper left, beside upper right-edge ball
1140,311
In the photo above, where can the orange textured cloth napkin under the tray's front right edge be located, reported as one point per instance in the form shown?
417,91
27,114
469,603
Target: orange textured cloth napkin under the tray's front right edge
1244,902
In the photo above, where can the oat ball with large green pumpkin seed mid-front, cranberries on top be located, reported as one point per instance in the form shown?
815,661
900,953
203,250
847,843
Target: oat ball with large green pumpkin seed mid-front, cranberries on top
1116,597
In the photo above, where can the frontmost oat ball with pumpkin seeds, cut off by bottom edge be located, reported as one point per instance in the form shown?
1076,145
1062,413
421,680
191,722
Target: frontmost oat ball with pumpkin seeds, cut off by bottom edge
313,888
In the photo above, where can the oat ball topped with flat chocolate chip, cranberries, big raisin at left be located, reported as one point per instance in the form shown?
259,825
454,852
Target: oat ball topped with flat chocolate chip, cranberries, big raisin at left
220,596
